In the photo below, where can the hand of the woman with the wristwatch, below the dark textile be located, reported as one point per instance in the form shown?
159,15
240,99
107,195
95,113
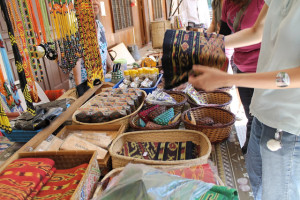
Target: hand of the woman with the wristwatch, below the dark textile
208,78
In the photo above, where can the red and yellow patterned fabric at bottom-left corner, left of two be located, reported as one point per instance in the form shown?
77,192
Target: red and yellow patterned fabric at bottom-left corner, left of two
23,176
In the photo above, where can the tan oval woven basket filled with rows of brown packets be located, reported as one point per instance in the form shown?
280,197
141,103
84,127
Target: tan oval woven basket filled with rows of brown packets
123,120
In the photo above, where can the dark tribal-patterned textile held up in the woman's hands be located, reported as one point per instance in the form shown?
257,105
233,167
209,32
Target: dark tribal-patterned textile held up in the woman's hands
181,50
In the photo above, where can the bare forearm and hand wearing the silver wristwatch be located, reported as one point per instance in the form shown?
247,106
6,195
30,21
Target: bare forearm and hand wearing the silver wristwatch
210,79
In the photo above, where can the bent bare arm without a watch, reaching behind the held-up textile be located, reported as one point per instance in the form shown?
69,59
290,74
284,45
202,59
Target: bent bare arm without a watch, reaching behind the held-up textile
248,36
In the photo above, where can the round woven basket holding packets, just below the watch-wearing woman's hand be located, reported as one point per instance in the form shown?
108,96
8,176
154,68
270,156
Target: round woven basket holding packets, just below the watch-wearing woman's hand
216,99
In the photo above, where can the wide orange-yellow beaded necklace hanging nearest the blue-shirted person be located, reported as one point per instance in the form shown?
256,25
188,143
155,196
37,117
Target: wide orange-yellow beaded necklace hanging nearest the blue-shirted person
89,41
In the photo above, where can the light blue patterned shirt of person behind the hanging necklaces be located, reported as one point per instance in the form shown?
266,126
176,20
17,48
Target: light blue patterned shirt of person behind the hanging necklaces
103,51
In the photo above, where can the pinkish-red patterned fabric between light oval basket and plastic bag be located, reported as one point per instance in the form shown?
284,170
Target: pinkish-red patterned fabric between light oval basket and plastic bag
199,172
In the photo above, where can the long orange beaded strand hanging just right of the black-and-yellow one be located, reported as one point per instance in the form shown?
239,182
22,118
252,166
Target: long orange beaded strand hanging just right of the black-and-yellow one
22,46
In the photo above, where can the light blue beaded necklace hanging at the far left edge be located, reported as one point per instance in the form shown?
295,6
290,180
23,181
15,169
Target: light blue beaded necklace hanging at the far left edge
10,76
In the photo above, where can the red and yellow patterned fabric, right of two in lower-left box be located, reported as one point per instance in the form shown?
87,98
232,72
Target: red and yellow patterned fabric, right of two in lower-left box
62,184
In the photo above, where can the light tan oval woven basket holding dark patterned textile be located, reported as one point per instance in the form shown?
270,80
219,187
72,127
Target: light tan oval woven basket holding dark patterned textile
160,136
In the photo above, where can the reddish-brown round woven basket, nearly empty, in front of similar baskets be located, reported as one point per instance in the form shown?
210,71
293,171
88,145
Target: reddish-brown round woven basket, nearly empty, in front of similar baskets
214,133
